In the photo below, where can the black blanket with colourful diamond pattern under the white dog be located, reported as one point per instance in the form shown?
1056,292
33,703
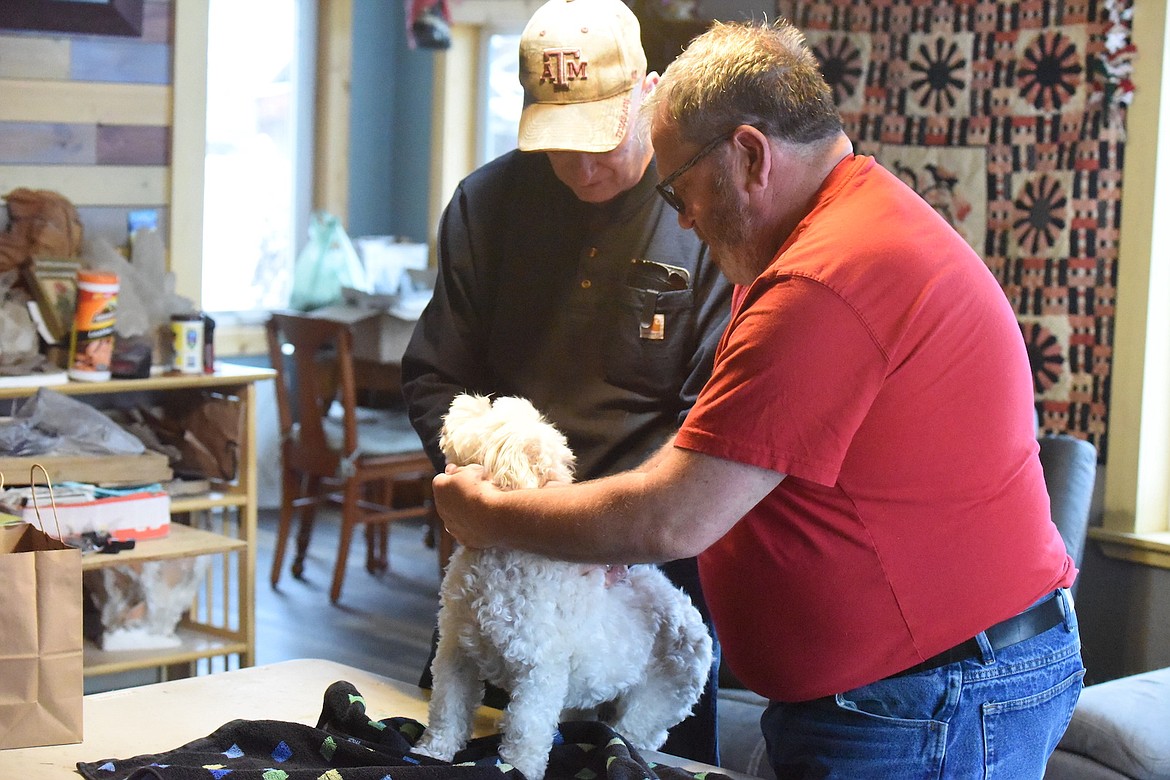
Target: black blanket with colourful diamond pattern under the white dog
348,746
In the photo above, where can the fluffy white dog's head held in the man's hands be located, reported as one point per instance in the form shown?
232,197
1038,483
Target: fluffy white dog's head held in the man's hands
517,446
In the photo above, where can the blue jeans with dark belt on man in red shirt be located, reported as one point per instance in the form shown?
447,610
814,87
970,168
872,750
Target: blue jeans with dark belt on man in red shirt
1000,716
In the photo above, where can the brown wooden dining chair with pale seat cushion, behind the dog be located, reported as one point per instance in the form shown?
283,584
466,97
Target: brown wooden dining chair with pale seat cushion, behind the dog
335,453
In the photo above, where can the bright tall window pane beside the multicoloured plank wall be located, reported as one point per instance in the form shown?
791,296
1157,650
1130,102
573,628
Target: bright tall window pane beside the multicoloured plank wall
257,175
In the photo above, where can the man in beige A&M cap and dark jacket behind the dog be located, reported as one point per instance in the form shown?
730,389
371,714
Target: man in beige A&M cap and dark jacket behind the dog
566,280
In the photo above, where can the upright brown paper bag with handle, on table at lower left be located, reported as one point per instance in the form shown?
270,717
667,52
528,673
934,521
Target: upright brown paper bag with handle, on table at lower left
42,675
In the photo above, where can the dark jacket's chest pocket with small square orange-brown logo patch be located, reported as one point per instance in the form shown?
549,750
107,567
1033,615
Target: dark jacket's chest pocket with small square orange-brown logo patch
651,347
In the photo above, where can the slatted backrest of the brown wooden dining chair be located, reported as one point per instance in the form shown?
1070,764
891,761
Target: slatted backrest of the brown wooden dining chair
314,363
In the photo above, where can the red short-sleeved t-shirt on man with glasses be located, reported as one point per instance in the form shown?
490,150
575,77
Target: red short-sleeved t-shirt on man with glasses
879,365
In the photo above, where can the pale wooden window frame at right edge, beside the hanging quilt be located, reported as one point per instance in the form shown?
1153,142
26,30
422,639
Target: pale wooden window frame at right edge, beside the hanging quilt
1137,502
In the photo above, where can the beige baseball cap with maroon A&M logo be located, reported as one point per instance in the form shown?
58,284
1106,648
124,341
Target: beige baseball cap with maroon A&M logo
580,61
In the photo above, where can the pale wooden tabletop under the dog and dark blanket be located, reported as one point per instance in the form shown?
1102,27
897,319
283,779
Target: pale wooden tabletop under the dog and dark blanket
164,716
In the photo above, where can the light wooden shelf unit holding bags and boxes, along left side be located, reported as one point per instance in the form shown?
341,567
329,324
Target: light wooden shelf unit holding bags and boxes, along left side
221,524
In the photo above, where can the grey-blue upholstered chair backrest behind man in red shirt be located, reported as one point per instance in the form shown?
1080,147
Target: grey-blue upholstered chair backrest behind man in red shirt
1070,472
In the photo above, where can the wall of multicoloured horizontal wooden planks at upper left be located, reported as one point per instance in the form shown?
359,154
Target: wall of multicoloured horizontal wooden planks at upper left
90,116
